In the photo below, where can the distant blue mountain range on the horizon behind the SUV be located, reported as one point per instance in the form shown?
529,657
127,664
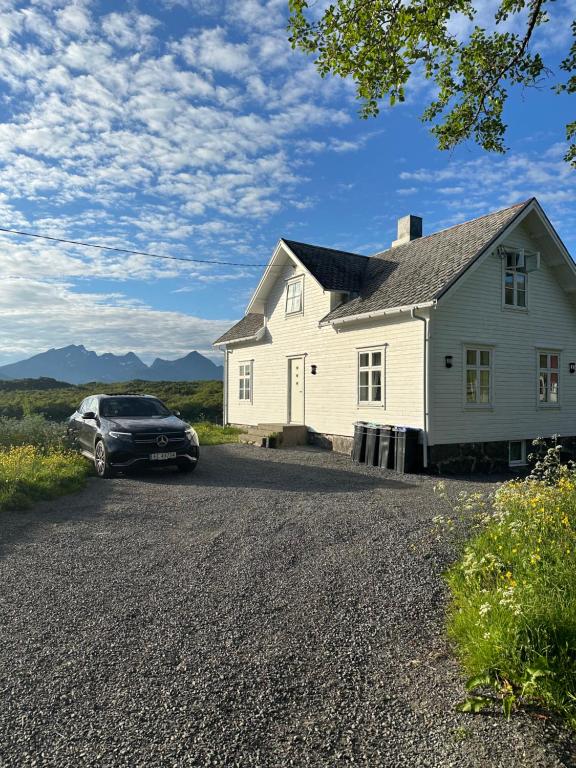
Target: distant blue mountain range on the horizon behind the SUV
77,365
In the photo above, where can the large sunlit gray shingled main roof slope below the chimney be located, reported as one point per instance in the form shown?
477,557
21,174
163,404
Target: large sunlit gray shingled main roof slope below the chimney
421,270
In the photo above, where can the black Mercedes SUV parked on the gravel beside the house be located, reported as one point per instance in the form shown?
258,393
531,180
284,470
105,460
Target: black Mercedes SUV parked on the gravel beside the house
118,432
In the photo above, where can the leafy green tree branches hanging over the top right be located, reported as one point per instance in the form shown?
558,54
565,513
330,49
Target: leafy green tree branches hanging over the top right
385,46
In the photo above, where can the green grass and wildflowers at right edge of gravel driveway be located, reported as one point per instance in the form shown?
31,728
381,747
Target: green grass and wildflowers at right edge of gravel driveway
513,607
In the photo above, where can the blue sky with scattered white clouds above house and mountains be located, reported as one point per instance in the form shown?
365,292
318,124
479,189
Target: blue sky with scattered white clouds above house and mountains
191,128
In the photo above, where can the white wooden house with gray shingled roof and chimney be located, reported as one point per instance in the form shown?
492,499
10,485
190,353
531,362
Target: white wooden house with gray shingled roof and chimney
468,335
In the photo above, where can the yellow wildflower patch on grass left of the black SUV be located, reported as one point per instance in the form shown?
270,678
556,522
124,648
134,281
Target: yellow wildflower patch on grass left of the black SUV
29,473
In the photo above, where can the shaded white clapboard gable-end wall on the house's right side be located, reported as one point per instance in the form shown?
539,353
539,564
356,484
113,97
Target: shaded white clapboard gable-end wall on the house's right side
474,313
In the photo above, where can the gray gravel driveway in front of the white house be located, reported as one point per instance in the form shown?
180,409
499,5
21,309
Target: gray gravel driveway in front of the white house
276,608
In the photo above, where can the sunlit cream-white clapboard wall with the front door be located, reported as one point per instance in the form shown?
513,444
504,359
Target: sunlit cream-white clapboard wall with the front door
331,395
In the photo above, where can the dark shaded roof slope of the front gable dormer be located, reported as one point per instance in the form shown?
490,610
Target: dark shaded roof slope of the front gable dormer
334,270
